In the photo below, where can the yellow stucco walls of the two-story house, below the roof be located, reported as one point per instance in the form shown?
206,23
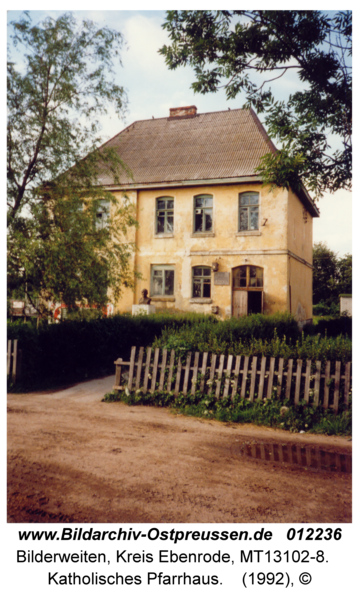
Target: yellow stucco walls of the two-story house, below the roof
280,246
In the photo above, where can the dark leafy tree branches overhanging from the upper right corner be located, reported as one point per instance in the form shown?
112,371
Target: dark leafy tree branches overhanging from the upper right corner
244,51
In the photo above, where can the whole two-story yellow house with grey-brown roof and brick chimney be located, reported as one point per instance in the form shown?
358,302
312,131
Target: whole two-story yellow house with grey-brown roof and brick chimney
210,237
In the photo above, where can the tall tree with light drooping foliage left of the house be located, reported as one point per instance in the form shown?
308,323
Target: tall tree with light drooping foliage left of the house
56,251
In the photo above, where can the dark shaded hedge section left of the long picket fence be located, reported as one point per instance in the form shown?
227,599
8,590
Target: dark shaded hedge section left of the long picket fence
75,350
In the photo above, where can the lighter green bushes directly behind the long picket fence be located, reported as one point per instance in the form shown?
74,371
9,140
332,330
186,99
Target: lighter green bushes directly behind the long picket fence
260,335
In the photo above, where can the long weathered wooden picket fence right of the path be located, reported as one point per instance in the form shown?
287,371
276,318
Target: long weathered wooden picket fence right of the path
153,370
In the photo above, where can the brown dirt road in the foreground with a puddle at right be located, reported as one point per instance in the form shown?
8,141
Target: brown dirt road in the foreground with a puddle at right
72,458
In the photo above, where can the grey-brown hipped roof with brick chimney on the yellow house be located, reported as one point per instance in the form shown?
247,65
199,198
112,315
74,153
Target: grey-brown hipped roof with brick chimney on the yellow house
202,147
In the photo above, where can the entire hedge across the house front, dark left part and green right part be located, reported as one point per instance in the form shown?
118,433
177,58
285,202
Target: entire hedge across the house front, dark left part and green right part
77,350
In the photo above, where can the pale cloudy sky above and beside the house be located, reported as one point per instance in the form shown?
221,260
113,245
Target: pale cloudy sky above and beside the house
153,89
